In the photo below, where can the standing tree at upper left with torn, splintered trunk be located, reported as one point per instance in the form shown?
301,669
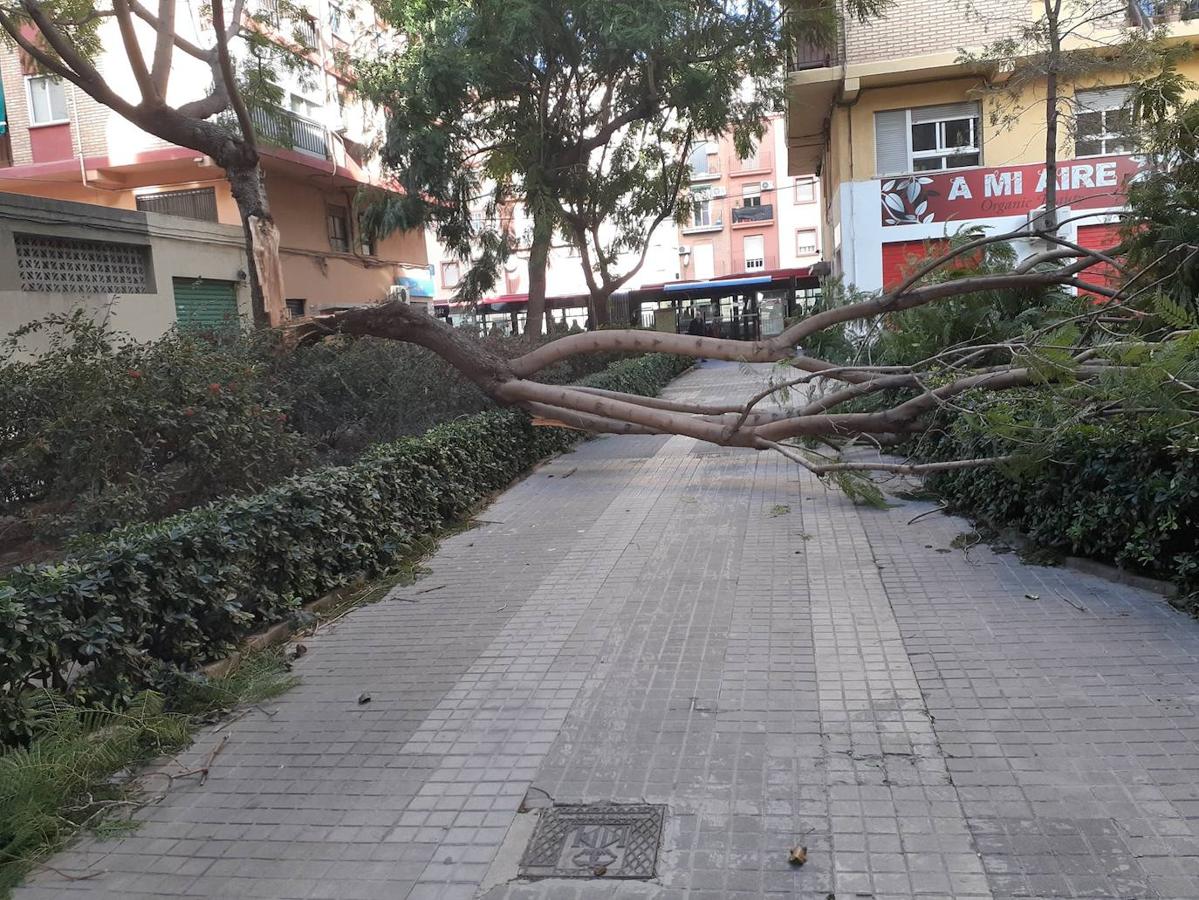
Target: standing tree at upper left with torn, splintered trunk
65,39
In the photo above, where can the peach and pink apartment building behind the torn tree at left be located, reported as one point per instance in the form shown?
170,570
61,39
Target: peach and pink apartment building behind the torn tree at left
63,146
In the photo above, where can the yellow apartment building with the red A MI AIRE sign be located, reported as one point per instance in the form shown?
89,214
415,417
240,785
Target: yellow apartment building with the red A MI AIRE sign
908,150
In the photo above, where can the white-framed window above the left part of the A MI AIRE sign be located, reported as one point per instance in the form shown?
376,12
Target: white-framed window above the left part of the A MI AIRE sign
927,140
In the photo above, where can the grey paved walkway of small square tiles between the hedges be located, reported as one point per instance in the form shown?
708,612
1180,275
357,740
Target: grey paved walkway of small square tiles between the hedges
654,620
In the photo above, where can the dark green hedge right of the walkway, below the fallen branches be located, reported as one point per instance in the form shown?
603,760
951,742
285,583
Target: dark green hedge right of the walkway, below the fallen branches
1120,494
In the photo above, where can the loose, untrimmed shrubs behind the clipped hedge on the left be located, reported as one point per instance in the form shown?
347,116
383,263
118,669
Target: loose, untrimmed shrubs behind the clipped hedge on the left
101,432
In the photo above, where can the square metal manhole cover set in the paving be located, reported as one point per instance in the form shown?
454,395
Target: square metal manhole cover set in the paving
612,841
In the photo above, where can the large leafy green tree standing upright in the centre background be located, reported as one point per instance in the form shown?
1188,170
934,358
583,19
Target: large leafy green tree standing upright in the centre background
582,111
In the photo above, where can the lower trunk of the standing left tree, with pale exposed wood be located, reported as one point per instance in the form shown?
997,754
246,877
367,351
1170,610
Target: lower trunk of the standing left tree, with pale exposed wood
262,241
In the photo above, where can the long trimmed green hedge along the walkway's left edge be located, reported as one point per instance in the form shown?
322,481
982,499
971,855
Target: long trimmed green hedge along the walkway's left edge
155,600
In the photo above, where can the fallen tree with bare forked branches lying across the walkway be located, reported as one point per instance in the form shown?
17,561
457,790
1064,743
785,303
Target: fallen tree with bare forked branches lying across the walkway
1087,345
